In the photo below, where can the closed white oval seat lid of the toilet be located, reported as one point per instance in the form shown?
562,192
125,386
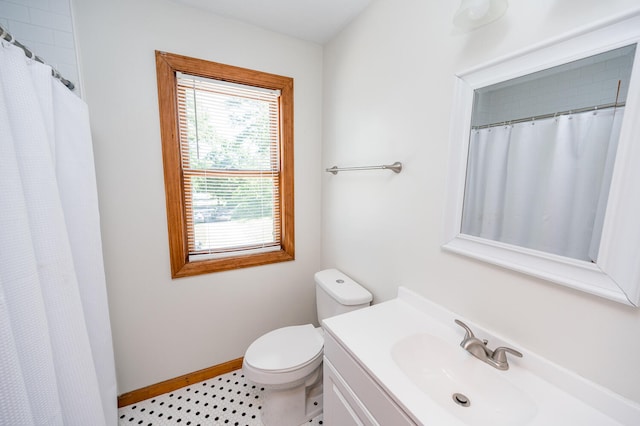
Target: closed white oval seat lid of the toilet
286,349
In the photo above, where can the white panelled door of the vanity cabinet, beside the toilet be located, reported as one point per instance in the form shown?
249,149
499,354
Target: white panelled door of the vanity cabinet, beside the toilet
341,406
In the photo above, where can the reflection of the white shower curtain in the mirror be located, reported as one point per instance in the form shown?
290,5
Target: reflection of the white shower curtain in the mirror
543,184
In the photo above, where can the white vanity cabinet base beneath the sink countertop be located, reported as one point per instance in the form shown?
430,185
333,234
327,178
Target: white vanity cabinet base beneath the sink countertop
351,395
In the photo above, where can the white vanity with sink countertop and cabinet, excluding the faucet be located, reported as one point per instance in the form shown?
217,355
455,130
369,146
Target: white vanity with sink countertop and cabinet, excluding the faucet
372,377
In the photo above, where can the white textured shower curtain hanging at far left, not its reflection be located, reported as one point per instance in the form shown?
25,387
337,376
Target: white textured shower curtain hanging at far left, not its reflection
56,355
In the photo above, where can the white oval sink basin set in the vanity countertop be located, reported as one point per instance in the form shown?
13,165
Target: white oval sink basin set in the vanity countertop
441,370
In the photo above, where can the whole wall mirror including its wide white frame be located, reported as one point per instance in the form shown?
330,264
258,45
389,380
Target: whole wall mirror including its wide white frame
542,175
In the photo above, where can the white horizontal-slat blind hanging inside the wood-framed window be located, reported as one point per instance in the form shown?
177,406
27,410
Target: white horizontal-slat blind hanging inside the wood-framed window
231,167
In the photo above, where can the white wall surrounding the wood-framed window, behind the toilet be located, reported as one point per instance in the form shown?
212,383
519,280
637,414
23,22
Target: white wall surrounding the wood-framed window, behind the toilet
164,328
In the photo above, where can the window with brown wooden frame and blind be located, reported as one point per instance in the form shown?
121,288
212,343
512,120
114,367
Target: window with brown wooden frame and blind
227,146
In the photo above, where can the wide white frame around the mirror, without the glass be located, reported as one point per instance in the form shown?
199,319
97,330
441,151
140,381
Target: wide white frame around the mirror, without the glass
616,275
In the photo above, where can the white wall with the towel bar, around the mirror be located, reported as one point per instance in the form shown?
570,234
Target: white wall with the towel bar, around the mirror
388,86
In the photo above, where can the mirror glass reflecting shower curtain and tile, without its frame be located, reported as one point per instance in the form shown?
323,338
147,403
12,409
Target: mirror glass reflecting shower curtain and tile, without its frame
541,155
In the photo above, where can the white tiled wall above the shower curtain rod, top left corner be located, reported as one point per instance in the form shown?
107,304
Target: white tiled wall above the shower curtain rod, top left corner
46,28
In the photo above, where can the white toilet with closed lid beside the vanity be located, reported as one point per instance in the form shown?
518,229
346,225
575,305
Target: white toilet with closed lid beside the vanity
287,362
